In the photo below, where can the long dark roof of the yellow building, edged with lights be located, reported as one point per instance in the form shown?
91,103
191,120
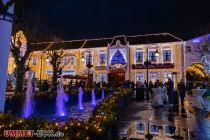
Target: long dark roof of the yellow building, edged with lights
103,42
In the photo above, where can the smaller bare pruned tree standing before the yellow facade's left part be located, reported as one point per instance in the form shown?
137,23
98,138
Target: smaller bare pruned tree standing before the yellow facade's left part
56,60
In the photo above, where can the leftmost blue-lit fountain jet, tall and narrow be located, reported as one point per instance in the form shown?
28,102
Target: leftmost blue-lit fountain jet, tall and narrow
28,105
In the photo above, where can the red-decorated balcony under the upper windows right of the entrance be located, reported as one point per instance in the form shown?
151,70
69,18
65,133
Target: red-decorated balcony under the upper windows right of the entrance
154,66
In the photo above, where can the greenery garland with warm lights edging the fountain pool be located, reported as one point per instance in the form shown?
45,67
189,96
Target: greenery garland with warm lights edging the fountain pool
103,117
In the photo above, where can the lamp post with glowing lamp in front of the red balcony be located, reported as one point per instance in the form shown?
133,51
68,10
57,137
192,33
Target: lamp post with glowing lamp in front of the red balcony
147,63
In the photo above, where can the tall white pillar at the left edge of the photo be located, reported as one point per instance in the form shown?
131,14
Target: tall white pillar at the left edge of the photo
5,36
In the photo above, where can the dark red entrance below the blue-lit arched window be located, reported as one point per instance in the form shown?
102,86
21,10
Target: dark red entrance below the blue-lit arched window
116,78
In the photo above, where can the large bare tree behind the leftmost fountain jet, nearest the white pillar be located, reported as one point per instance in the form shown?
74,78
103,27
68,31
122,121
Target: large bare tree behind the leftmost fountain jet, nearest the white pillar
21,45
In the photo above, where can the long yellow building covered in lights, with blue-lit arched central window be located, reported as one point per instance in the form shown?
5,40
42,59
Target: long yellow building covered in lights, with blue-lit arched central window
114,59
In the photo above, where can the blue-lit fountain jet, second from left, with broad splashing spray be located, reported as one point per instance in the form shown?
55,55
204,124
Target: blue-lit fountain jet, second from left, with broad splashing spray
61,99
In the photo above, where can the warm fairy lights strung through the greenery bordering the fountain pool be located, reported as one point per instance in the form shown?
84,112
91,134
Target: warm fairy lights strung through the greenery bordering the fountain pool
103,116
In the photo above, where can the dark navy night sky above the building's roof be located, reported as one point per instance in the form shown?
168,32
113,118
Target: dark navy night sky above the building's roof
77,19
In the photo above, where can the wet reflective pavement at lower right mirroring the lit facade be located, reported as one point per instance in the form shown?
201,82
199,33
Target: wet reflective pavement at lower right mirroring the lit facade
190,123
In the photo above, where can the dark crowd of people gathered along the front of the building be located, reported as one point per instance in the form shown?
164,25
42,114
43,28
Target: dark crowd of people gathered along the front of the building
165,89
